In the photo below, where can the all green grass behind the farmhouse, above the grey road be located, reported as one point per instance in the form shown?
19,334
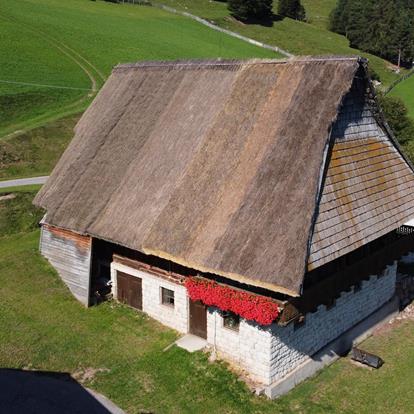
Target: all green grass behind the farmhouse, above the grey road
72,46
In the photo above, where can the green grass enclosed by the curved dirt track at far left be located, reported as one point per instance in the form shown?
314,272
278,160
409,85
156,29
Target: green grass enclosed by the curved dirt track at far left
24,58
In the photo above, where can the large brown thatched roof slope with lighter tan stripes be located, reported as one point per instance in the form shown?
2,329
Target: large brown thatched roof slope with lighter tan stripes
216,165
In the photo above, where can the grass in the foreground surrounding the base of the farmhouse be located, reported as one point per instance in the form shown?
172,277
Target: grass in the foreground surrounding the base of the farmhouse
43,327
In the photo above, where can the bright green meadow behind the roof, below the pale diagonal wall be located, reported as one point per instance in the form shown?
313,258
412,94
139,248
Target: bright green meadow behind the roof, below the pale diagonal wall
32,32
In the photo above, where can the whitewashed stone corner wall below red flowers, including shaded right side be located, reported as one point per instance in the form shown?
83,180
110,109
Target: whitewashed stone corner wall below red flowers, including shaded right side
268,354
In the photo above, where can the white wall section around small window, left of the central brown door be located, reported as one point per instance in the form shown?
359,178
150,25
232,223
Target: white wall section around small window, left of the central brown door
175,317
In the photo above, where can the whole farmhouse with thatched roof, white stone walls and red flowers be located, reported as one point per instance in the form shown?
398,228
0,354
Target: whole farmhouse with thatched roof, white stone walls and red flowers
259,205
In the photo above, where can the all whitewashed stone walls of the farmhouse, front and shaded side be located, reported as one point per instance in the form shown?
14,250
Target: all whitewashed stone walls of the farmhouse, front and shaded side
267,353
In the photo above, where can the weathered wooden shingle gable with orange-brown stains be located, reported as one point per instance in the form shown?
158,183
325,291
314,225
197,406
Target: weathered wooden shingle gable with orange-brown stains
369,188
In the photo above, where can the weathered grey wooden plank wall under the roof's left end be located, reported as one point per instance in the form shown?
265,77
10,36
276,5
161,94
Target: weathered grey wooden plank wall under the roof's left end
70,254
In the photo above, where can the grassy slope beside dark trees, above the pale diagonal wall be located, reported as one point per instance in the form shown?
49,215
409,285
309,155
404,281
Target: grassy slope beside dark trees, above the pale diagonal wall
293,36
